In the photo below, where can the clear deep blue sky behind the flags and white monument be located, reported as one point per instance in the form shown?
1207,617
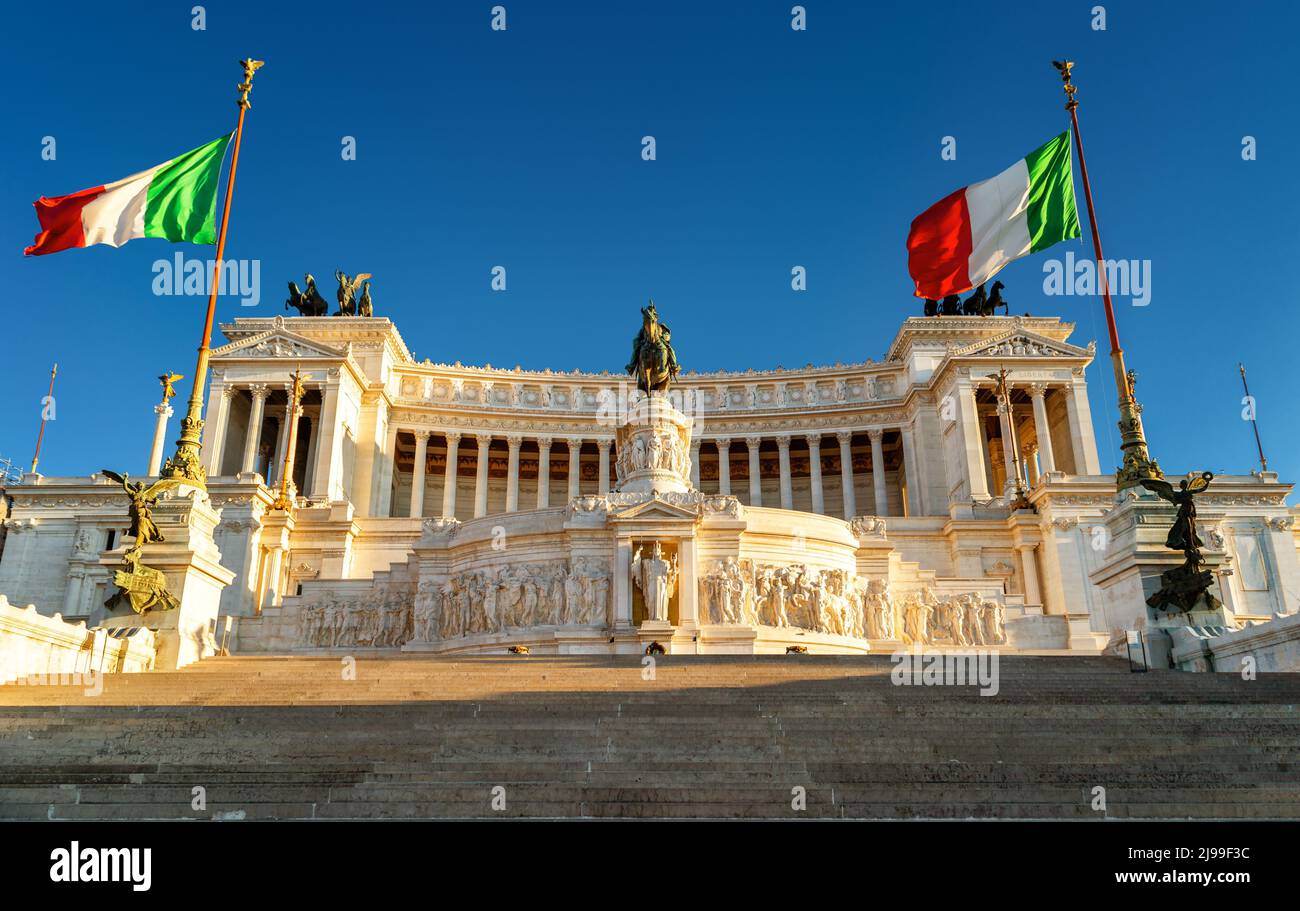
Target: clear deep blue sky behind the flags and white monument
774,149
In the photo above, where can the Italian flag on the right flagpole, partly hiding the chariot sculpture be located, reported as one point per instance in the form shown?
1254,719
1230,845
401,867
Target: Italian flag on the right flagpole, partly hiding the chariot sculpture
969,236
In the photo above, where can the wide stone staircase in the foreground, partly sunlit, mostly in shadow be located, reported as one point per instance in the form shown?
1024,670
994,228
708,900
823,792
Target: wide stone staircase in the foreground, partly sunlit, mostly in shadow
707,738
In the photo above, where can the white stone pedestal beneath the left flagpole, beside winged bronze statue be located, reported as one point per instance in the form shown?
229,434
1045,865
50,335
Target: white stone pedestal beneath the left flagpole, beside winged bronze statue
192,563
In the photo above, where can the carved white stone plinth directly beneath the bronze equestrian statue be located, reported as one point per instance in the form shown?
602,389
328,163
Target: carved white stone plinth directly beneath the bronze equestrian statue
655,448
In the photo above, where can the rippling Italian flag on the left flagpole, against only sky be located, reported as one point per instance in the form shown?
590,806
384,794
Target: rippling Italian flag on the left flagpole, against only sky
176,201
